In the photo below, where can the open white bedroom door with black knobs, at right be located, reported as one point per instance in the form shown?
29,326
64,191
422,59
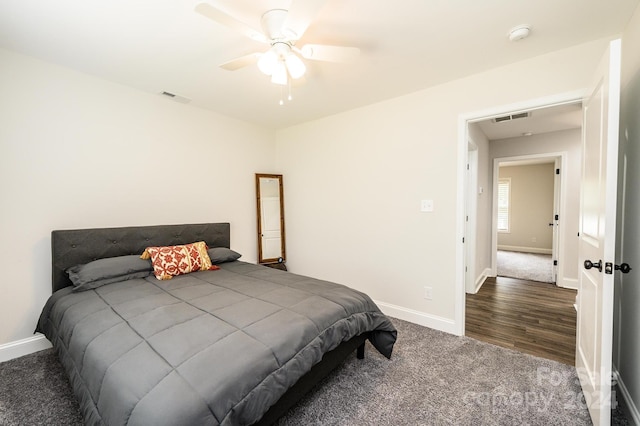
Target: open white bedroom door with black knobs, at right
597,236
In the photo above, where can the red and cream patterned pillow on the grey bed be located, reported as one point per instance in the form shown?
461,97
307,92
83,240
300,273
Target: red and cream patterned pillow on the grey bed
169,261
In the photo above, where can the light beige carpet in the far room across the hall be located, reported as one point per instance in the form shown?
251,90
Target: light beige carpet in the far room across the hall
525,266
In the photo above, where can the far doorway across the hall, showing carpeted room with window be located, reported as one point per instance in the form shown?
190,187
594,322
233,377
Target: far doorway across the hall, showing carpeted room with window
527,194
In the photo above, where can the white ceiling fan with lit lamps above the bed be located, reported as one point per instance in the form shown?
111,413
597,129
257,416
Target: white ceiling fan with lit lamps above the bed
281,29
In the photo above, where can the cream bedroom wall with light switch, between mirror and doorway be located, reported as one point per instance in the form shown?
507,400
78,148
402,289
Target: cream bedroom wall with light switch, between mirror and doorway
354,182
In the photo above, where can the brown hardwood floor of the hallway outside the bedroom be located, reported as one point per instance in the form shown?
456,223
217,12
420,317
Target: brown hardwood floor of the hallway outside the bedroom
531,317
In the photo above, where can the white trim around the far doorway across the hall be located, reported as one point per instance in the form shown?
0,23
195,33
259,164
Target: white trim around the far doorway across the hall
559,159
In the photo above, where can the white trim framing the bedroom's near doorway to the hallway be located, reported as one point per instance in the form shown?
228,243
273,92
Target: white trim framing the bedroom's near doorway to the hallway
462,182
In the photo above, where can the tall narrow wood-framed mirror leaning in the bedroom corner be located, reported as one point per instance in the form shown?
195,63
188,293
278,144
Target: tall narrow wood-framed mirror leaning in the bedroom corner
270,203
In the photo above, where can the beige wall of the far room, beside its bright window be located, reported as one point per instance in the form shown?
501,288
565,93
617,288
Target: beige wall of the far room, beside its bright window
530,208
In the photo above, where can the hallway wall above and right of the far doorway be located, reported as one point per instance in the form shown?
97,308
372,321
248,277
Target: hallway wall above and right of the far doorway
569,142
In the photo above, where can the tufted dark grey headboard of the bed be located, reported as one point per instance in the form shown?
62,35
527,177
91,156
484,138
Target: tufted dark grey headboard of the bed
77,246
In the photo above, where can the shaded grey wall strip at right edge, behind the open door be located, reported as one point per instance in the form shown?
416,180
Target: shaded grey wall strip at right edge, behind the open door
626,347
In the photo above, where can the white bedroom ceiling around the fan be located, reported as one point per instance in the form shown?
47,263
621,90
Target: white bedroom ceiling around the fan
163,45
